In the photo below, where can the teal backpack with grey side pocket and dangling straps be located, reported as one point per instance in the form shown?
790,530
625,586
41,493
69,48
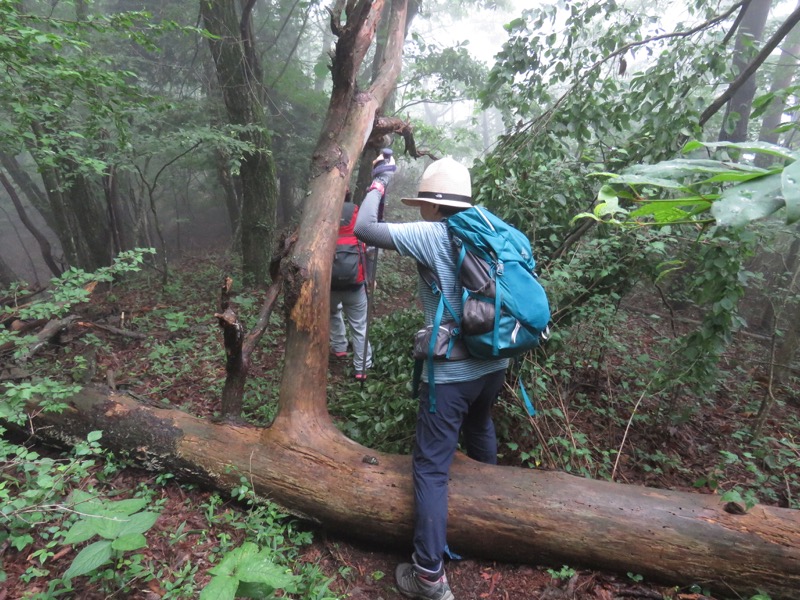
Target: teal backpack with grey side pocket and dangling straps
505,311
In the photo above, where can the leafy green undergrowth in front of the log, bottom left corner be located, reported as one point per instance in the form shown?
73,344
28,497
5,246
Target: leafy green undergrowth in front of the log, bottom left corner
84,529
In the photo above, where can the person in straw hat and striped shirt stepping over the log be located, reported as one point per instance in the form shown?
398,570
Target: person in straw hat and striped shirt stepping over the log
457,389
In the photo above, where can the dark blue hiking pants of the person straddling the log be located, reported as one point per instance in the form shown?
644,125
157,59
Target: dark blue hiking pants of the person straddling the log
460,407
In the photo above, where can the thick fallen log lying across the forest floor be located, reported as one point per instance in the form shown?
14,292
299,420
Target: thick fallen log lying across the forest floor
498,513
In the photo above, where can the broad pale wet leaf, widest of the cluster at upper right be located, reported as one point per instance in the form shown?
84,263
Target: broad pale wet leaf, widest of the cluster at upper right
748,202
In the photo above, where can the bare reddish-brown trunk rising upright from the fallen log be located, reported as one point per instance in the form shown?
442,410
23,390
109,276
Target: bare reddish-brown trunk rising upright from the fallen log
307,272
